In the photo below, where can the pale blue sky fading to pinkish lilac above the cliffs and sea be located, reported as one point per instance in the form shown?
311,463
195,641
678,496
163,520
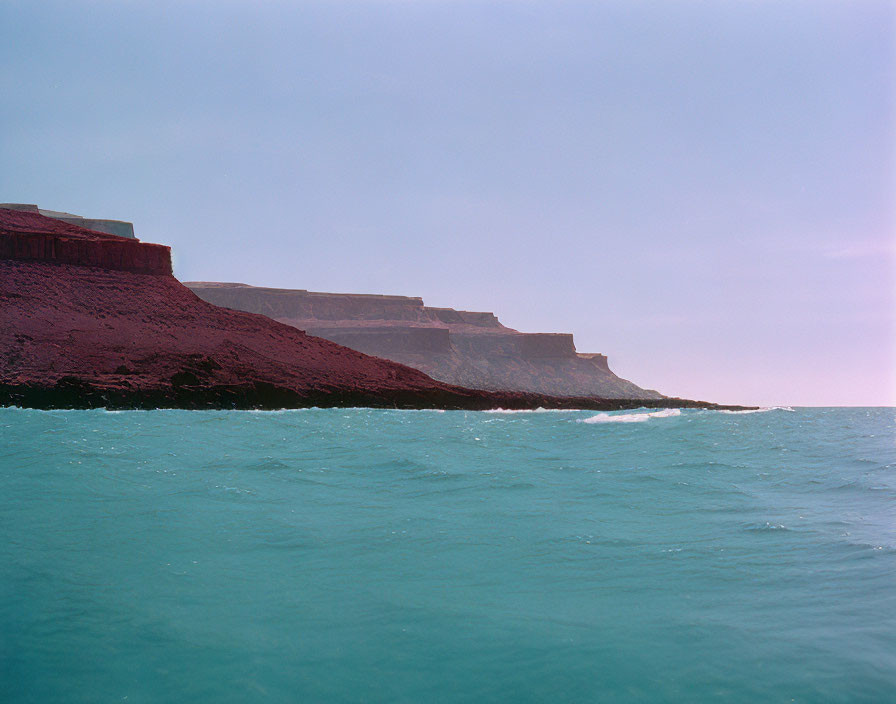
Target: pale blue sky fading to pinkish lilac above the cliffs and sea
703,191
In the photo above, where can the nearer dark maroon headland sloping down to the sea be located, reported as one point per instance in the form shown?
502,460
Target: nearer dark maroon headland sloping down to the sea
87,319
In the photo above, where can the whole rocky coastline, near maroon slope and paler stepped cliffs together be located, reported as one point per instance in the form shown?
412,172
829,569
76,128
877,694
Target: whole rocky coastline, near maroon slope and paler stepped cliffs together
93,318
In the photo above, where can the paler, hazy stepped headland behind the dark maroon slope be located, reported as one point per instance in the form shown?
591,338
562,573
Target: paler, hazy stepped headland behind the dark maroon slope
471,349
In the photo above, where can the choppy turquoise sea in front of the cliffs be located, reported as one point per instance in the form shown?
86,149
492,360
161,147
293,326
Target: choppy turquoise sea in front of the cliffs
400,556
